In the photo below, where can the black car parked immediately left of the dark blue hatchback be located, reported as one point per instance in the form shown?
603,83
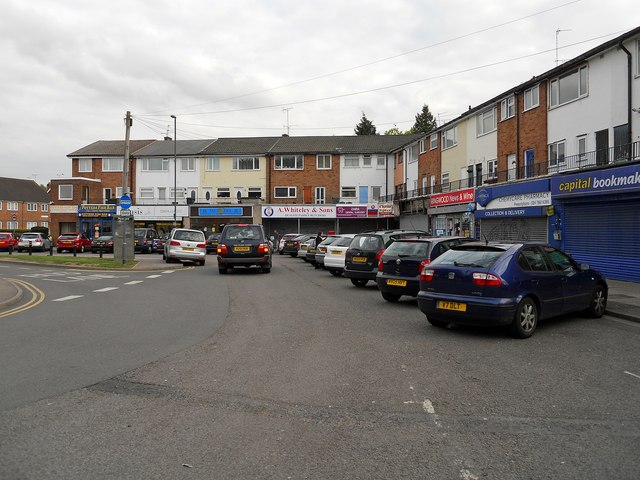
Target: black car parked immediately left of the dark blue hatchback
402,262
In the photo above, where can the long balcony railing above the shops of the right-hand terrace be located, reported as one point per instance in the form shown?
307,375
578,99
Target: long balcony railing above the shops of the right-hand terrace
589,160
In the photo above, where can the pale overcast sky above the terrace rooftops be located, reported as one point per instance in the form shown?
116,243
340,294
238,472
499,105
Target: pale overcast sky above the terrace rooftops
72,68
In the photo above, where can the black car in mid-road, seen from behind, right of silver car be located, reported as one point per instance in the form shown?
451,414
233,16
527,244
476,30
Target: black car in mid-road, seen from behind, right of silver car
243,245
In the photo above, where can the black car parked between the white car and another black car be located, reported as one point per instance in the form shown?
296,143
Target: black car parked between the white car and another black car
365,250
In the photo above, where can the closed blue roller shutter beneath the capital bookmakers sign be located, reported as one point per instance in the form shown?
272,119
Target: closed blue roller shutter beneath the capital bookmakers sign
606,236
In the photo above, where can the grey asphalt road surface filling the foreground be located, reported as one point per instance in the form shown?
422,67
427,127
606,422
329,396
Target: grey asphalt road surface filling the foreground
298,374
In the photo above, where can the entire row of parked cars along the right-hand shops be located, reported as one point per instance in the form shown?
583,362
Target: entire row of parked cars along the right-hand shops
457,280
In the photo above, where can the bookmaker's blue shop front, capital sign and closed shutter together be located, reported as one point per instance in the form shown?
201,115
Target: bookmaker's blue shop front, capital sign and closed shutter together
597,219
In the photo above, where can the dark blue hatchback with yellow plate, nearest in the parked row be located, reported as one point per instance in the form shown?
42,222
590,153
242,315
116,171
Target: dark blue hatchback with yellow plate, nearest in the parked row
514,284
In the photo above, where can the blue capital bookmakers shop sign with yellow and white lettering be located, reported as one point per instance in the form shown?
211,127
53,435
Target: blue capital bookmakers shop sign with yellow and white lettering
594,182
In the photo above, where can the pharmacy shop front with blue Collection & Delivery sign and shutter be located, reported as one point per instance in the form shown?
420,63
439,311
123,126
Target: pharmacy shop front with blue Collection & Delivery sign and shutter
514,212
